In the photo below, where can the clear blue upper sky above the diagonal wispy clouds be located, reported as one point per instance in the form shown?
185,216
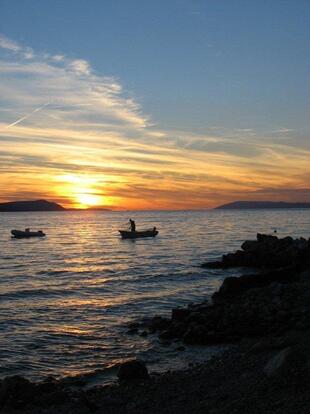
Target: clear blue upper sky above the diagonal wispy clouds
192,64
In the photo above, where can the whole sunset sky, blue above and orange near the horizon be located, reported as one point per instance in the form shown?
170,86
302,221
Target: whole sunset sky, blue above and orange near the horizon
176,104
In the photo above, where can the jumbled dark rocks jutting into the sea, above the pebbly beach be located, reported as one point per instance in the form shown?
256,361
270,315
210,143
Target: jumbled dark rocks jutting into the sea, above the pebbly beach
271,302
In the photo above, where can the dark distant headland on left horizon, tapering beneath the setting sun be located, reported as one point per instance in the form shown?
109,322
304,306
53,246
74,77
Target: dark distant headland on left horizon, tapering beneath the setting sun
40,205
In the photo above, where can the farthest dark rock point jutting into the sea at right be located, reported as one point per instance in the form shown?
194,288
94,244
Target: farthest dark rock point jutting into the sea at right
267,252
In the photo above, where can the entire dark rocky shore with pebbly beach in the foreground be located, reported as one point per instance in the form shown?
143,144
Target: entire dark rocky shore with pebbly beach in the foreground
264,315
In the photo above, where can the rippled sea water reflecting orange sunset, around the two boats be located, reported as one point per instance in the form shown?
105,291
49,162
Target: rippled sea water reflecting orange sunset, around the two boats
65,300
